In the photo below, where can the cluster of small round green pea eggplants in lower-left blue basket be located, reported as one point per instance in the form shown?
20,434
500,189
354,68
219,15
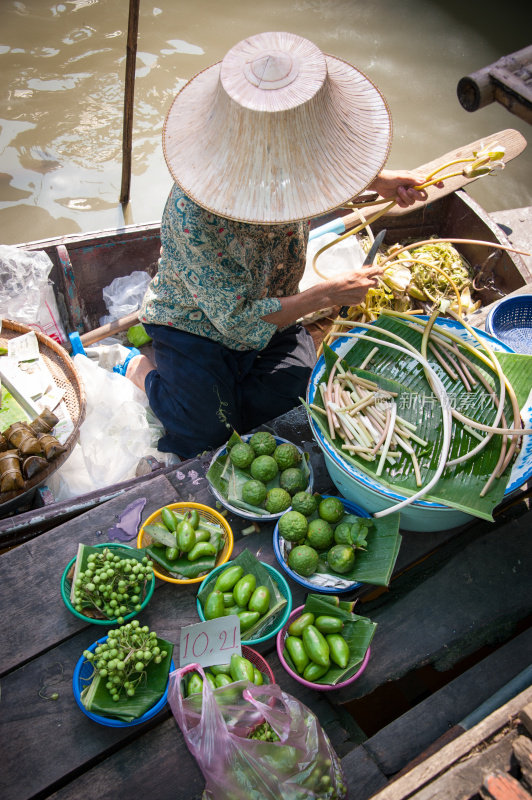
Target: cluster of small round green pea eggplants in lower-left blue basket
123,659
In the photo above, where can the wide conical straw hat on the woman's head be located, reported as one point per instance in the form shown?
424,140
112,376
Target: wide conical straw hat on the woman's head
276,132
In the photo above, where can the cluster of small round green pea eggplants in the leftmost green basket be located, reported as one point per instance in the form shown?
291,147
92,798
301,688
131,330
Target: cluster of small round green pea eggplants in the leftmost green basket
112,584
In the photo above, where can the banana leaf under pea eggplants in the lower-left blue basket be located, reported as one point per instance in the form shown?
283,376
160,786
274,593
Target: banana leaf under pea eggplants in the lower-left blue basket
96,698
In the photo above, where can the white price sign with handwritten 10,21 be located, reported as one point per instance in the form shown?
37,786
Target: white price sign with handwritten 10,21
211,642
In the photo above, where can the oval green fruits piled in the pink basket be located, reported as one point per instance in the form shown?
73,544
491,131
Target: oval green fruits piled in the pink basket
314,644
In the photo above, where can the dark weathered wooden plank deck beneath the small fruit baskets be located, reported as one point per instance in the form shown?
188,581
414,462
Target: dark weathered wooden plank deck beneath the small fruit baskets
458,592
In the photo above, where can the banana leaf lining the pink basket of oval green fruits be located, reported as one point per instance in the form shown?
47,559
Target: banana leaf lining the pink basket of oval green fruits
357,631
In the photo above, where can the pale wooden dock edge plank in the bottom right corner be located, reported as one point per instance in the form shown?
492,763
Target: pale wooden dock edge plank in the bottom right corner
436,765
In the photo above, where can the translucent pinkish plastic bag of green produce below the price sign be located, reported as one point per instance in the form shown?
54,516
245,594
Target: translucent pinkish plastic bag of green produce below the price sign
301,766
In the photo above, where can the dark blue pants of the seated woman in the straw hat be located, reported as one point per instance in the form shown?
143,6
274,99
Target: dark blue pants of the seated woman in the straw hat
202,390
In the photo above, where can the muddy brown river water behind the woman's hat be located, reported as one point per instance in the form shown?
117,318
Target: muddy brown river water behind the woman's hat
61,95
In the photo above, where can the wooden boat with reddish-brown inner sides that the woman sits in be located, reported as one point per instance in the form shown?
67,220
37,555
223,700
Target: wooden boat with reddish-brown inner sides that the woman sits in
83,265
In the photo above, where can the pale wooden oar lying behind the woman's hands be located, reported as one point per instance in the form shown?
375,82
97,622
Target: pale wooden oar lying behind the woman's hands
513,142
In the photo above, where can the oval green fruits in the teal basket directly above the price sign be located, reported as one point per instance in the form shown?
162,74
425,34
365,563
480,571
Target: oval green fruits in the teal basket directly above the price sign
237,593
